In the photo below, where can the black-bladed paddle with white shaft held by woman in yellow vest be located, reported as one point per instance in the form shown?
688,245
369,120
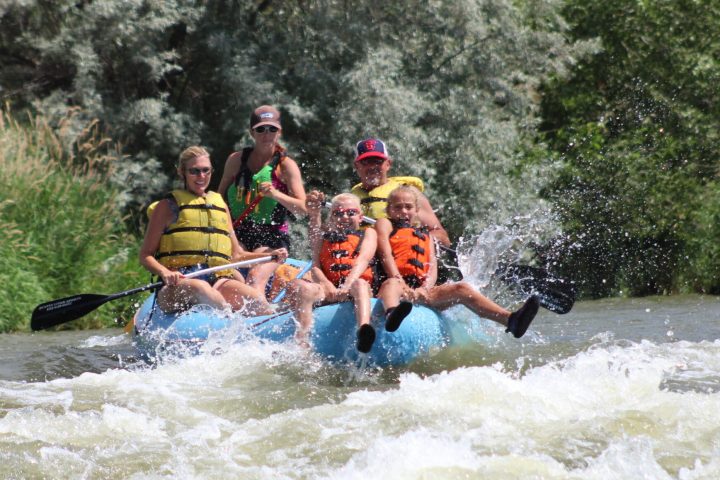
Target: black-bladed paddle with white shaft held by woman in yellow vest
60,311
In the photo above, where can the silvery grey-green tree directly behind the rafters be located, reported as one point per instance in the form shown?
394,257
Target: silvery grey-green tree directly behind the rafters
451,85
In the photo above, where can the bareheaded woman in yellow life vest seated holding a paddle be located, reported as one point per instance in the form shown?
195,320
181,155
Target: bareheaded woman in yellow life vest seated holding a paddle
190,229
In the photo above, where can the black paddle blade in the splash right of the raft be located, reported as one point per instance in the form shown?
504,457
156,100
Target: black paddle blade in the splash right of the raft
555,294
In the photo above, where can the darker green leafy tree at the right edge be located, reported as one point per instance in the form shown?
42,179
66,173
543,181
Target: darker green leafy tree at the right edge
636,127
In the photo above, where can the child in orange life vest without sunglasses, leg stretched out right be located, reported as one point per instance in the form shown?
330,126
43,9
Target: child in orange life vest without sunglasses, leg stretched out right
408,257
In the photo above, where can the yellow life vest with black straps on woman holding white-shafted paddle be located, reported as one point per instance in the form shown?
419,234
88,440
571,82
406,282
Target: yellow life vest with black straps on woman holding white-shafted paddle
199,235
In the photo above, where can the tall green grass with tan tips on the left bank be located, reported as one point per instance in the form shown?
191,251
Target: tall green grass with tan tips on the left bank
61,230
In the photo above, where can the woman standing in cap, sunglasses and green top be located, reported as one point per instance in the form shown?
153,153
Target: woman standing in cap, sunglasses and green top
263,186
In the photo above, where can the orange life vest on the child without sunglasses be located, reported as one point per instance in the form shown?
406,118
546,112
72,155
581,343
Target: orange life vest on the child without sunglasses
411,251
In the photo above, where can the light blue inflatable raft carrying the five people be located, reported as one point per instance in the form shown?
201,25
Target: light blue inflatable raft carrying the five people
333,337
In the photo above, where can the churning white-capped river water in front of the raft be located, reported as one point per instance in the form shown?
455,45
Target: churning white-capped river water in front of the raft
614,389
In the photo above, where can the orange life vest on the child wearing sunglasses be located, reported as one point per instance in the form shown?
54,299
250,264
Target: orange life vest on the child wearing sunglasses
337,256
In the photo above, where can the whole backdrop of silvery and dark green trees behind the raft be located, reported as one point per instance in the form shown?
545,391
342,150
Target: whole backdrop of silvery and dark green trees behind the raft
598,122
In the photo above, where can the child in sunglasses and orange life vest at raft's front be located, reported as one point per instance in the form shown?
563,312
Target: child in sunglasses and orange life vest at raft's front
341,257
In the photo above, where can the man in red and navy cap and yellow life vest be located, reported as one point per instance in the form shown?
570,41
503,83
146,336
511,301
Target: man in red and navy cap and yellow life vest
372,163
